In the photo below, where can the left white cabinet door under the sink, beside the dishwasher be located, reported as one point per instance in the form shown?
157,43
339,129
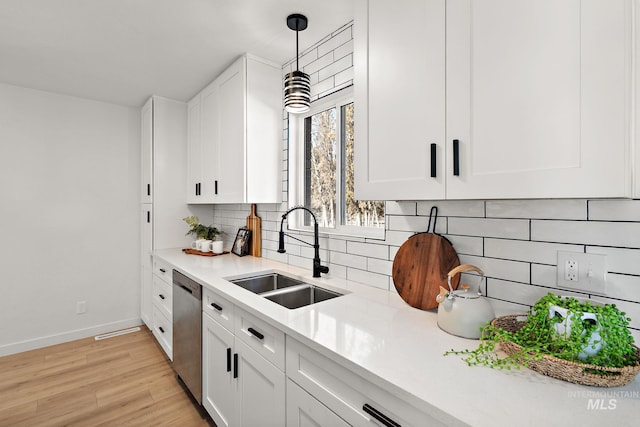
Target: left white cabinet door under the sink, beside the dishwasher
218,385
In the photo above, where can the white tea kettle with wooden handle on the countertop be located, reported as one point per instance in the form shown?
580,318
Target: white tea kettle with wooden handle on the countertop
464,311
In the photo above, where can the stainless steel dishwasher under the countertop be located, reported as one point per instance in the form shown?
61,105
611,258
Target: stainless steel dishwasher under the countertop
187,333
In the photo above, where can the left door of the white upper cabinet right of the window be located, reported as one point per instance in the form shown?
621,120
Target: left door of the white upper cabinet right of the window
399,99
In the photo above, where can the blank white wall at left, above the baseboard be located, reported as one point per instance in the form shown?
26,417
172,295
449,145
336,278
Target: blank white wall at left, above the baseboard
69,173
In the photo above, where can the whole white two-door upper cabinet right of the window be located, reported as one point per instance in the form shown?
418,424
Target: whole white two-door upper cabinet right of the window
538,99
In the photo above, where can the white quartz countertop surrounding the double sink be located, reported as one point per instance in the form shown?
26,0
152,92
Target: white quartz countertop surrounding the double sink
399,348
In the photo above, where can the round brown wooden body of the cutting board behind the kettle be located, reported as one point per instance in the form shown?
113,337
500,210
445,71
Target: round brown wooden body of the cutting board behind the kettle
420,267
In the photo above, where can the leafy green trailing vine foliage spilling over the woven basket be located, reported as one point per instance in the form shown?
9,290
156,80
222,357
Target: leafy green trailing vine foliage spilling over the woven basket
608,337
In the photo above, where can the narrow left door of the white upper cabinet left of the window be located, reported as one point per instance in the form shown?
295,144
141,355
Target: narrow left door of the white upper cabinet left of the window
194,150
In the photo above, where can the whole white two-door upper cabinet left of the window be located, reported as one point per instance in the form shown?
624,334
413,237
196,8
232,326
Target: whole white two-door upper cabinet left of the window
235,136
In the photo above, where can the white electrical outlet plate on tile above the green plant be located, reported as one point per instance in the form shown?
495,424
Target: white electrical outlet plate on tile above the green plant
582,272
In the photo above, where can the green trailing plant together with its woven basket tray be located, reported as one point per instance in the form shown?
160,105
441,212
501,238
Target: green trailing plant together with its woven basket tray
593,338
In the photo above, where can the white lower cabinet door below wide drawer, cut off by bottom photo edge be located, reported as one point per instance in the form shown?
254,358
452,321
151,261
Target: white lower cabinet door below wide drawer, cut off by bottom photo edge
304,410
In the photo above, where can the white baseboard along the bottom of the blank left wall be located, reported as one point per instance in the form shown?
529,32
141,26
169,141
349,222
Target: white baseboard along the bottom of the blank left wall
41,342
